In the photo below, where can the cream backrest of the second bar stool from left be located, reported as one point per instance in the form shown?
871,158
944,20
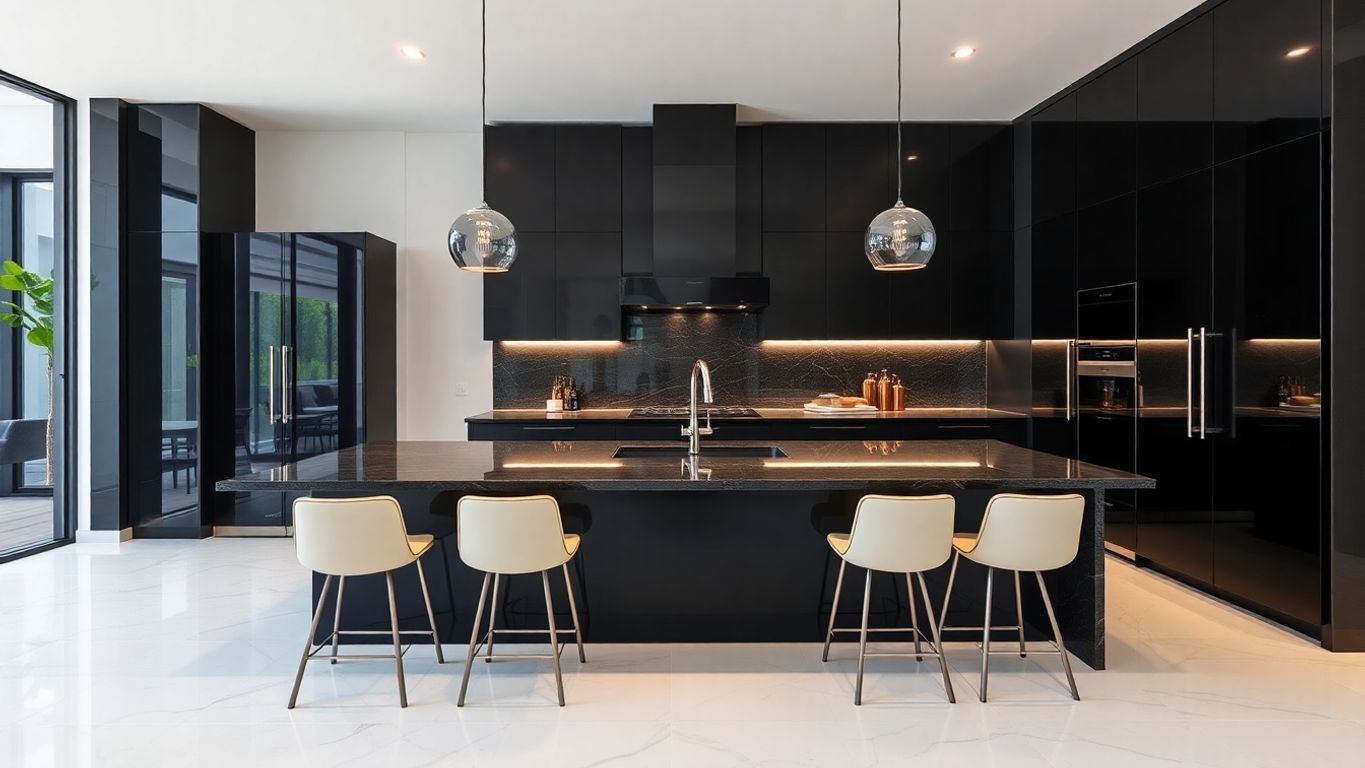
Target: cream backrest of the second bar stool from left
511,535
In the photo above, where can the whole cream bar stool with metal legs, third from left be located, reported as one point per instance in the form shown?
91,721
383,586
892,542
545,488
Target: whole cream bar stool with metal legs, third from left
896,535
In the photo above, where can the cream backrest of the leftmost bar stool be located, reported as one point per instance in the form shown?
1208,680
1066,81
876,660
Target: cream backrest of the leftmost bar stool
351,537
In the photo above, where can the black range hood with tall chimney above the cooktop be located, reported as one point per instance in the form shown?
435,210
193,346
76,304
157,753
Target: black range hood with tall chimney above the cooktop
695,216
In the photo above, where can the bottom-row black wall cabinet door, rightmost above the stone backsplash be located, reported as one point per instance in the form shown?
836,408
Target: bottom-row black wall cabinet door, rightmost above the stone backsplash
983,280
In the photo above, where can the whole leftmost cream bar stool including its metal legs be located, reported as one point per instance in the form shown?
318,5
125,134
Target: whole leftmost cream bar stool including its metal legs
342,538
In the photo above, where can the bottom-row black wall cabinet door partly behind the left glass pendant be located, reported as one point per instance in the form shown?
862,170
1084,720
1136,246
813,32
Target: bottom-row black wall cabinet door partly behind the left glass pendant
519,304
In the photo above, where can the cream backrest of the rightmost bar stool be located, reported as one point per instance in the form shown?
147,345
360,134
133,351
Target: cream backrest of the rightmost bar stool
1030,533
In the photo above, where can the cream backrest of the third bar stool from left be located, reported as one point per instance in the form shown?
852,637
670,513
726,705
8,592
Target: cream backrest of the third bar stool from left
902,534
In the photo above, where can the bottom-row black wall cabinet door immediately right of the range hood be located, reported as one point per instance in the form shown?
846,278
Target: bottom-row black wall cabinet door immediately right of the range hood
795,267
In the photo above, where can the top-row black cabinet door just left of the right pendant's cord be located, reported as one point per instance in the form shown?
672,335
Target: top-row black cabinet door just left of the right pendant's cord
858,167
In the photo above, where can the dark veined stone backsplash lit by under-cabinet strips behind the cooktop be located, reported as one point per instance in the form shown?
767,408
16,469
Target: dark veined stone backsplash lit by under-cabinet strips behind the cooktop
653,366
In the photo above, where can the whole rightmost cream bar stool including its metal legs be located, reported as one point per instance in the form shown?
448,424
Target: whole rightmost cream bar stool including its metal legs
1022,533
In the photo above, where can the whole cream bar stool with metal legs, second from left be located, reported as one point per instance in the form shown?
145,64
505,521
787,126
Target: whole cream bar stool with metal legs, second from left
504,537
